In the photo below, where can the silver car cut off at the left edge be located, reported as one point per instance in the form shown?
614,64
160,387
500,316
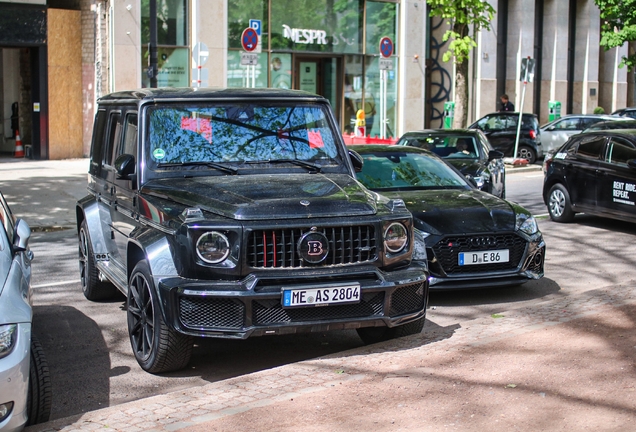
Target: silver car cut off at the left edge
25,390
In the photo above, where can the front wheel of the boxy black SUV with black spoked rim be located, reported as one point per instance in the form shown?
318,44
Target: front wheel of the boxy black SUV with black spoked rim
157,348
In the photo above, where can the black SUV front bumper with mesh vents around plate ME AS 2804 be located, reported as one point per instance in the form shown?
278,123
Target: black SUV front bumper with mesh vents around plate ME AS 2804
253,306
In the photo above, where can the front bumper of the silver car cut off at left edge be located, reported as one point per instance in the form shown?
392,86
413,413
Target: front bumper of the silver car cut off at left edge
14,380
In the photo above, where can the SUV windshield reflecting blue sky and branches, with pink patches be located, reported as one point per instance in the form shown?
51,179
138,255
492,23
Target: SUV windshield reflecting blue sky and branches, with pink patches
239,132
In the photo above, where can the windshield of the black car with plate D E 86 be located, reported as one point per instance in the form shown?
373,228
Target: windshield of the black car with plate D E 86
403,170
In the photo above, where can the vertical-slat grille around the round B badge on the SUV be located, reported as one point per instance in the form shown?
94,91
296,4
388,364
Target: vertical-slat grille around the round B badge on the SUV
278,248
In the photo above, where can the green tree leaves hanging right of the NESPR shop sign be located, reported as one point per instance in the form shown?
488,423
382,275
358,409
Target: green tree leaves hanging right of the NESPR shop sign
460,16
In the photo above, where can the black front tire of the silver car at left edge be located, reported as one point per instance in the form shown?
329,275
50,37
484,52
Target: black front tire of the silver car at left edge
39,395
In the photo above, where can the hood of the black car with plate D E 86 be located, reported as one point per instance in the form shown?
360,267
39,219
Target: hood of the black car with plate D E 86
457,211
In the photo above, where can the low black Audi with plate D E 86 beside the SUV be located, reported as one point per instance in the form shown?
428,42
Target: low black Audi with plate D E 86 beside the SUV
470,238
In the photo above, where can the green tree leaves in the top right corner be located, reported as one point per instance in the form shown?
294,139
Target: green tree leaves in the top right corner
618,18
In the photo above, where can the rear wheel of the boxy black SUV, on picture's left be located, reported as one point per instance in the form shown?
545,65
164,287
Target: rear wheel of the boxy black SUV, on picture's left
92,287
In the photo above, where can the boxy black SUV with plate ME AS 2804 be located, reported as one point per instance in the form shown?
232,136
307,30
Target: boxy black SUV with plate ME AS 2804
233,213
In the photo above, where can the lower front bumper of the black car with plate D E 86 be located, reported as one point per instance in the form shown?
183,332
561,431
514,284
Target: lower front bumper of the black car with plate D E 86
531,267
